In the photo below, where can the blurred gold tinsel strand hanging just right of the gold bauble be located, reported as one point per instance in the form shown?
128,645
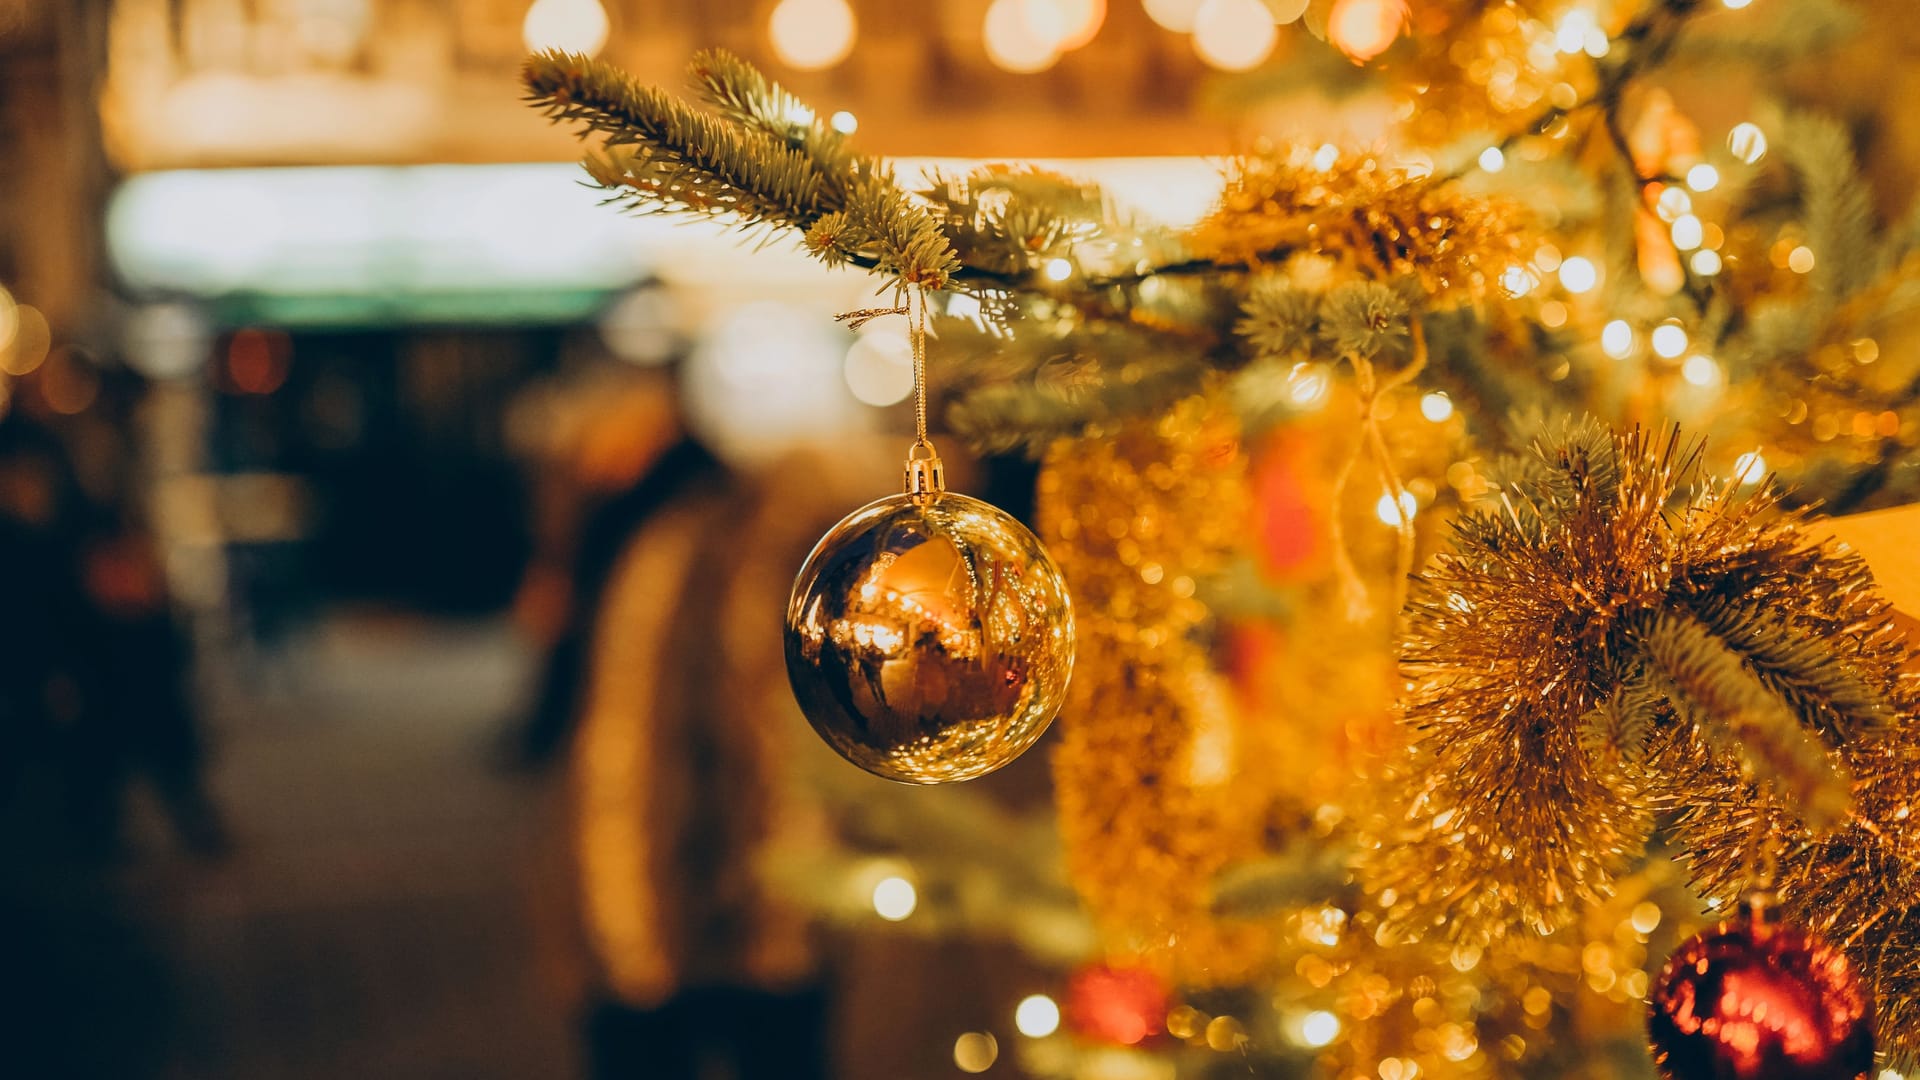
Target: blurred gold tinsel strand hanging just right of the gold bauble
1153,802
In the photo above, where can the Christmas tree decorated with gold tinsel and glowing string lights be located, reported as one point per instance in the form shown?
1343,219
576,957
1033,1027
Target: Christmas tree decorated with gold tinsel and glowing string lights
1449,649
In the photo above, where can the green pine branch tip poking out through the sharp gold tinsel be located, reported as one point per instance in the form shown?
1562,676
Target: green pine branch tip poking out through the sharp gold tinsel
1737,714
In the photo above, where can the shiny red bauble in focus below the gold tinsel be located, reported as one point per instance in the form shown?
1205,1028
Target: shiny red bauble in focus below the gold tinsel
1762,1002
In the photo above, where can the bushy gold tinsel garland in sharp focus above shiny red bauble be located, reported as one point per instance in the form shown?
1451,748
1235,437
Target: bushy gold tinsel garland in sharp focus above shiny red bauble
1618,641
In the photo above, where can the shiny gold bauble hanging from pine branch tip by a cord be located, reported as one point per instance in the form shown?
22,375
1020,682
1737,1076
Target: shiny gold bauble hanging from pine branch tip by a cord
930,639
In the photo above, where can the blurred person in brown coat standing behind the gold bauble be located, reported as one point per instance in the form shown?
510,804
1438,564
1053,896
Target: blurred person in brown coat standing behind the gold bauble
679,773
